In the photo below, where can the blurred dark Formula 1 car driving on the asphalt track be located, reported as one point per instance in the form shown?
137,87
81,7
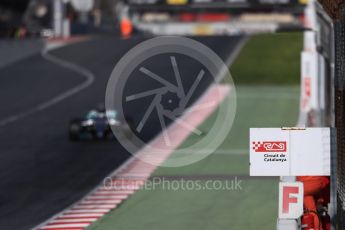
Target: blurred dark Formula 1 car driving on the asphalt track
97,125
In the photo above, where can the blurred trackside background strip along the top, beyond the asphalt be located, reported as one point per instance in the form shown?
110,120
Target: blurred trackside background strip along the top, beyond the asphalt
43,18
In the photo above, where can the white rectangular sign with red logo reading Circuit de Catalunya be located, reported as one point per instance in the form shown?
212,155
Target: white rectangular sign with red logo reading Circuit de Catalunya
290,151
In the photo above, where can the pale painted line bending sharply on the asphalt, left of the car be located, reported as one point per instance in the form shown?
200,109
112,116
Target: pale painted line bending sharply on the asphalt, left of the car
89,79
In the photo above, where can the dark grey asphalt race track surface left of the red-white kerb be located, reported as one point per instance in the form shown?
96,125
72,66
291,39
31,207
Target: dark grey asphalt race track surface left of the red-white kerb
41,171
